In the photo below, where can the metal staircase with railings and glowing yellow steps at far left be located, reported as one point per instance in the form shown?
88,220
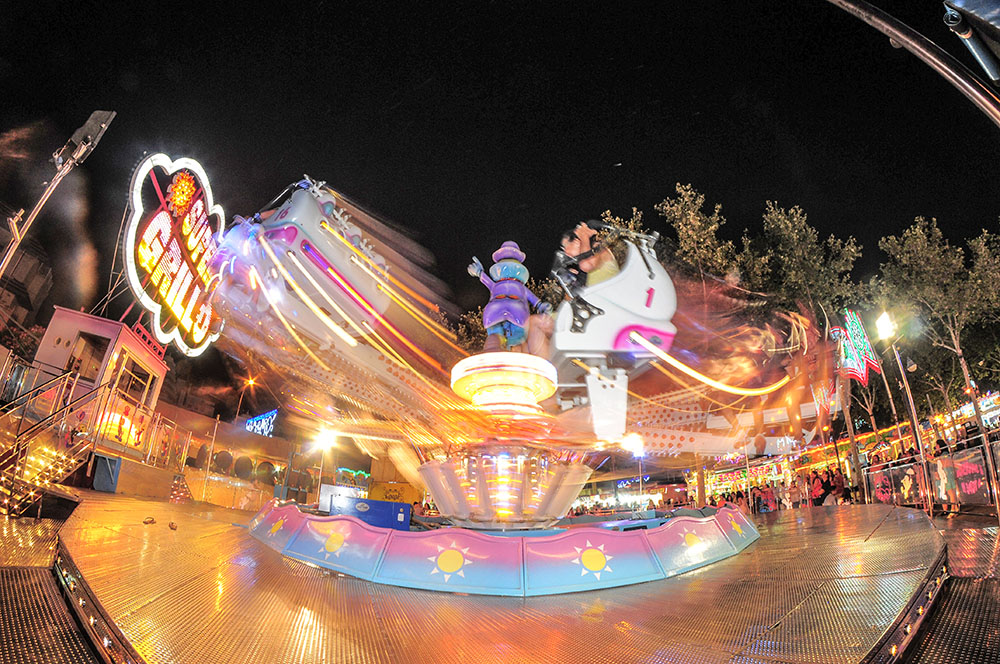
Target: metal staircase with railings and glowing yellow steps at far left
44,438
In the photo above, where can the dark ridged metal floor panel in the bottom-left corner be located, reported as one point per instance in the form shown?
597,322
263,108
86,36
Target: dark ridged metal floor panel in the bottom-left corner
35,624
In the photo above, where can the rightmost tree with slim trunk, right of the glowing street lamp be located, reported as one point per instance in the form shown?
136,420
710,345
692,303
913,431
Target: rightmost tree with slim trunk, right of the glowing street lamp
949,288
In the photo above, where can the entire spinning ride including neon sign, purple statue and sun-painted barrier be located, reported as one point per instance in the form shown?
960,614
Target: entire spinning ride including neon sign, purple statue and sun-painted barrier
336,313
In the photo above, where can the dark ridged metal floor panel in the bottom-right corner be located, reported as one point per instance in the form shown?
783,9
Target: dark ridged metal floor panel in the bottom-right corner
964,627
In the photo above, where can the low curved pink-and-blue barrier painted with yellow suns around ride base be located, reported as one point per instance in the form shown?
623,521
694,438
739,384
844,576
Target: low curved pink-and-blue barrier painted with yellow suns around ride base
469,561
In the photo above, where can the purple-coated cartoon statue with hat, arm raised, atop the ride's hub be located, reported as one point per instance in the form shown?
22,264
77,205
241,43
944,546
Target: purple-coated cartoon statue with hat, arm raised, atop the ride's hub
506,315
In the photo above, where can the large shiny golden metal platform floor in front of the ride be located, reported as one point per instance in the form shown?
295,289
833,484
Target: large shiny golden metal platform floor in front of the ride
820,585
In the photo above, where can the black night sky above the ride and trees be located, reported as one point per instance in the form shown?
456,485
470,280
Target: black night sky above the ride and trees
471,123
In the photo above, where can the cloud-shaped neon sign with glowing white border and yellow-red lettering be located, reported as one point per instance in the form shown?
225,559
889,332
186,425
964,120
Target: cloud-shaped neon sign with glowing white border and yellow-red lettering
169,244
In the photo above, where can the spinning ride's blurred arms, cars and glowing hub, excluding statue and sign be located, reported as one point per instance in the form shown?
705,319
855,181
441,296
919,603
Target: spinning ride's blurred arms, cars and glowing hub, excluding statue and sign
338,309
